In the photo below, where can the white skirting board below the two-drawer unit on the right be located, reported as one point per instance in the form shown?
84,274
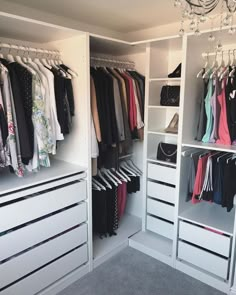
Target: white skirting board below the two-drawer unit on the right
203,277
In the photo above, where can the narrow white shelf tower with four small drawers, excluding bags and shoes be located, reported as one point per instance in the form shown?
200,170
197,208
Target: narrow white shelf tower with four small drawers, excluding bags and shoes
160,178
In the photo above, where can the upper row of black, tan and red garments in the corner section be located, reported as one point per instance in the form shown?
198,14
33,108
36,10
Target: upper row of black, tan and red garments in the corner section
117,102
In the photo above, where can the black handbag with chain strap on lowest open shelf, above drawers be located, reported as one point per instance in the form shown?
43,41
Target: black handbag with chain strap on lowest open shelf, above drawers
167,152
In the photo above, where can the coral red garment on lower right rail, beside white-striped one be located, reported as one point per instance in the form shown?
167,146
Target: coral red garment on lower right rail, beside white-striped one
200,176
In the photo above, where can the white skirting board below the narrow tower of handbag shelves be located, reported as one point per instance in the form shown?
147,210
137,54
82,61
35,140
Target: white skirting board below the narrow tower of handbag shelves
155,254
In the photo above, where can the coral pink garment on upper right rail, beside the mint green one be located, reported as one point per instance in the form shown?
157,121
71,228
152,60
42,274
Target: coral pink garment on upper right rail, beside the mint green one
223,130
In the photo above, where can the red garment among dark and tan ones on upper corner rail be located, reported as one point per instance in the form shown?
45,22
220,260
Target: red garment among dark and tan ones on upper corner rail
132,106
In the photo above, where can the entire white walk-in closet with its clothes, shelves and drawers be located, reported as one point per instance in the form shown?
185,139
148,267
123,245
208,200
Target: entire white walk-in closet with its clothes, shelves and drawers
107,143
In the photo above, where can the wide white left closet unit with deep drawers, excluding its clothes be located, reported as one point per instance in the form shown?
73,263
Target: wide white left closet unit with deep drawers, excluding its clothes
45,216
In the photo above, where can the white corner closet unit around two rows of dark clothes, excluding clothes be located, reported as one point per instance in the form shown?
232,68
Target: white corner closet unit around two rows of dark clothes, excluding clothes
131,222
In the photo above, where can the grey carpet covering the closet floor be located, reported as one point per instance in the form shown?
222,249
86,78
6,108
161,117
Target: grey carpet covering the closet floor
133,273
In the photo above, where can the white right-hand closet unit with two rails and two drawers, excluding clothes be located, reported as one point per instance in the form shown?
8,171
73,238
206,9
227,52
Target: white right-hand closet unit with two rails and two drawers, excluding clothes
205,244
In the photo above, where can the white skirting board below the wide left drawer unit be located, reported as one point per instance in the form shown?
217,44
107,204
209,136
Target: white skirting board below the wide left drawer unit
66,281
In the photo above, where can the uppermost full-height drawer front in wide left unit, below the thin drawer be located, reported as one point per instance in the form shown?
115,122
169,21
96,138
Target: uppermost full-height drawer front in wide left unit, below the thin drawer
40,205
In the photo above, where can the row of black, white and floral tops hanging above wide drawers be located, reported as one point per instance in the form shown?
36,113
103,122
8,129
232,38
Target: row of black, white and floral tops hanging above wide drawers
33,100
